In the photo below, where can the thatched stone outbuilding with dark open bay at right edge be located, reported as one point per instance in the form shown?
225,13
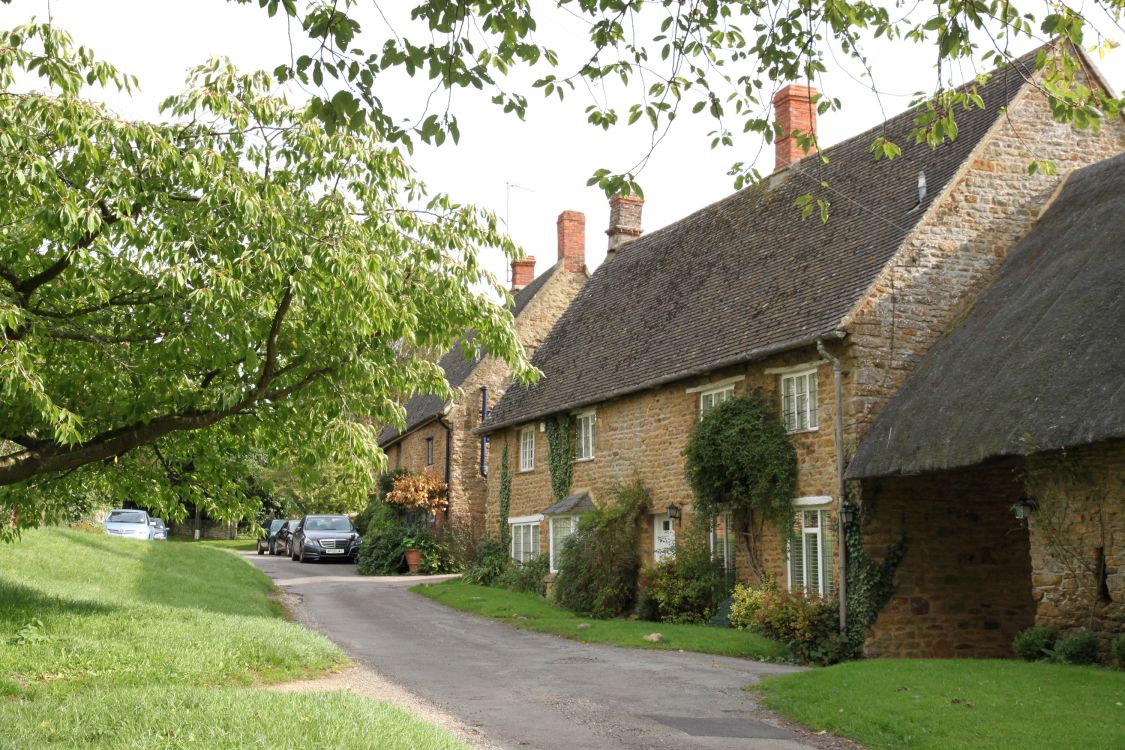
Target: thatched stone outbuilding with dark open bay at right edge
1002,459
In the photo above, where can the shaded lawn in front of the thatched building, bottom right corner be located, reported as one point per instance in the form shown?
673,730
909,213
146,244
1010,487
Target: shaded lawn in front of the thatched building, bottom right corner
943,704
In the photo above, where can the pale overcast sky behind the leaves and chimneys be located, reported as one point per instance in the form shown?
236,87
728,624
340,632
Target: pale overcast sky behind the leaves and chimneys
526,171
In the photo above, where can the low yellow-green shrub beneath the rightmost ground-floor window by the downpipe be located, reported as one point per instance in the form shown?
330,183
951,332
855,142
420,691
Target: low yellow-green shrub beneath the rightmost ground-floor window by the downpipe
808,626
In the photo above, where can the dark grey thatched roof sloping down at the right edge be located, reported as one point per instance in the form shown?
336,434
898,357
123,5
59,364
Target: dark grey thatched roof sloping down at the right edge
1039,364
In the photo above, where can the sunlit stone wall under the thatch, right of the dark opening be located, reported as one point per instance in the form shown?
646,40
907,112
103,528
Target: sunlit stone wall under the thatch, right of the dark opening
1078,539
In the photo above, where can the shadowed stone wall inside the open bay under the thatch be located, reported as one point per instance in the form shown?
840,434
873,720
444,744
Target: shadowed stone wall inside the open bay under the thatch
964,588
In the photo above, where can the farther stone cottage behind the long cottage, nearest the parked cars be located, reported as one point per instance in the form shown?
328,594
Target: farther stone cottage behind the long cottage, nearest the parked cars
438,437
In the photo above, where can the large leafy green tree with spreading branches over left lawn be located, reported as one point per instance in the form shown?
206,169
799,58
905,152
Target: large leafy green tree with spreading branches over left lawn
176,295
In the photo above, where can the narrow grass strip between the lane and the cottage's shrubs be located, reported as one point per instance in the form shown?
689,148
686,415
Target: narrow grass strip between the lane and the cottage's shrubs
534,613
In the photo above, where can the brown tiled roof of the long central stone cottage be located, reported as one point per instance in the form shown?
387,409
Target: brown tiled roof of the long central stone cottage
746,277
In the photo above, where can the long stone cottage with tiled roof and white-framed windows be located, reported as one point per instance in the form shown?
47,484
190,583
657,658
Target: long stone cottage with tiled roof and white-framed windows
746,295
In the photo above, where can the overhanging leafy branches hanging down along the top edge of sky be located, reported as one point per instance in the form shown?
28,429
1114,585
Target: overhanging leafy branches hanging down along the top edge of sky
647,61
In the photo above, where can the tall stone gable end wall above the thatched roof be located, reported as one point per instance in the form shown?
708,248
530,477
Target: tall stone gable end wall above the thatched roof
957,250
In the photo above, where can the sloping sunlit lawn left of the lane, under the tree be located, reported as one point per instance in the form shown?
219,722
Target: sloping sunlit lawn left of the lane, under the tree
120,644
